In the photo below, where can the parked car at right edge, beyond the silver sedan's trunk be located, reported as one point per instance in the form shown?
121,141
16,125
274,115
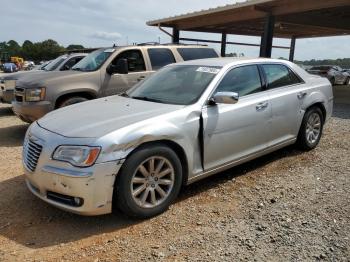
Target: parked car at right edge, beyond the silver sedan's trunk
335,74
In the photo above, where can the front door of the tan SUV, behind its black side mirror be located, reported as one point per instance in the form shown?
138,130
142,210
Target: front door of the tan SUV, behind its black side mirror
119,83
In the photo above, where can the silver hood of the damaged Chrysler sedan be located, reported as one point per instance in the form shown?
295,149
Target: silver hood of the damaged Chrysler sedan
96,118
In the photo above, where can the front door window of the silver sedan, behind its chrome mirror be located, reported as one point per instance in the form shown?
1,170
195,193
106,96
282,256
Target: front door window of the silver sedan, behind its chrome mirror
243,80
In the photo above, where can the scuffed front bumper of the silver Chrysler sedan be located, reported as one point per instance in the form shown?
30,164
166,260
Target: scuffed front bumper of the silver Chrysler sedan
56,187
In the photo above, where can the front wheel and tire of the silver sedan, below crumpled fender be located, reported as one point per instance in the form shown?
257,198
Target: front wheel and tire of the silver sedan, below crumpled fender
128,196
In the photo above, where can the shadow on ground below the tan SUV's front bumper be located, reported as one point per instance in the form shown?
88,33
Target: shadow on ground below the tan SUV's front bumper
12,135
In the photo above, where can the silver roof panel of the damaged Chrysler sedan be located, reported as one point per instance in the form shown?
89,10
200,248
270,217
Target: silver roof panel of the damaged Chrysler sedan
226,61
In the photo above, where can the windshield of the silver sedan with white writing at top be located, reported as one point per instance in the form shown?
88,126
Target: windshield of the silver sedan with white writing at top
178,84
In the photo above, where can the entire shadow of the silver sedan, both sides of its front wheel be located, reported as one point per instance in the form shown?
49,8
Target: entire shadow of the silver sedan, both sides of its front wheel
32,223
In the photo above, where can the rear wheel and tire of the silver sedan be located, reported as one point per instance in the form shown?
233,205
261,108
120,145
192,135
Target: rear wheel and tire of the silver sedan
311,129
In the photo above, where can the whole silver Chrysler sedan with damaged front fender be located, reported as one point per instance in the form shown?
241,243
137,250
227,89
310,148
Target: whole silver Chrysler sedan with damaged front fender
190,120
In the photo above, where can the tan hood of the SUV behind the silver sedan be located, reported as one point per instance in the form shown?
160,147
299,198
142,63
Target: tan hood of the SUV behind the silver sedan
43,78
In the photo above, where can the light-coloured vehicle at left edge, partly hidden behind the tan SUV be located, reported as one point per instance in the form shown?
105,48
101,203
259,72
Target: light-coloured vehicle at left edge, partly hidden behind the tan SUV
61,63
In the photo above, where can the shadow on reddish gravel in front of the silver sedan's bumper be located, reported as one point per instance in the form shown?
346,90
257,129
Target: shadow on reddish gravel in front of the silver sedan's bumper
31,222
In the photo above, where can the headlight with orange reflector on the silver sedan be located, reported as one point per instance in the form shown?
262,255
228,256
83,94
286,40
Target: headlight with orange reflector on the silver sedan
81,156
